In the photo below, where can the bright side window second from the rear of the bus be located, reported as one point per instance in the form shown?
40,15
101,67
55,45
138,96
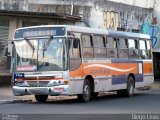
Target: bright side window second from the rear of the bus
142,49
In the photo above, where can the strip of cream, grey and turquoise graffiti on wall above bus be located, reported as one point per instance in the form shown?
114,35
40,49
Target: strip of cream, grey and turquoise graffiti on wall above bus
132,20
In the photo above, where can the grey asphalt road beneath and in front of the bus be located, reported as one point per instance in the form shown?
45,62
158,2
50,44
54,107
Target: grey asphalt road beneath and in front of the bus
104,106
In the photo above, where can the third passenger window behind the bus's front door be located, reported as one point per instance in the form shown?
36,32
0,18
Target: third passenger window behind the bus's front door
111,46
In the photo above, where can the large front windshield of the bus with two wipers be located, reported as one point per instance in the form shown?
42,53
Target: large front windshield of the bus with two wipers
41,54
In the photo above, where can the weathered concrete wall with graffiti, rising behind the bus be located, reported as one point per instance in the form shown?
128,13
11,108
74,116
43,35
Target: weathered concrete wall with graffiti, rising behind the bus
108,14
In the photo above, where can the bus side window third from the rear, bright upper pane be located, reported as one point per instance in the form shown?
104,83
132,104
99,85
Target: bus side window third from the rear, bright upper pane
132,48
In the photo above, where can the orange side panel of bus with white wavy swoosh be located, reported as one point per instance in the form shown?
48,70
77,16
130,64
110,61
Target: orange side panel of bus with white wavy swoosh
105,69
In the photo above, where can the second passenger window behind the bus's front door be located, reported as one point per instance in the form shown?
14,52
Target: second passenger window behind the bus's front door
99,46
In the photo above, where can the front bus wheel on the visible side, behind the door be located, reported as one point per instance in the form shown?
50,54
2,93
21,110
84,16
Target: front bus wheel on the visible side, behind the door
86,95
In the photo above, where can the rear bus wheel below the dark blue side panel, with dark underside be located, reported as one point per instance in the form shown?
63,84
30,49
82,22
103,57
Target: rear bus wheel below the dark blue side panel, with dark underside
130,89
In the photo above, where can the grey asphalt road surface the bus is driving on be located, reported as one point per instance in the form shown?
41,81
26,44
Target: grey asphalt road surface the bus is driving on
144,101
